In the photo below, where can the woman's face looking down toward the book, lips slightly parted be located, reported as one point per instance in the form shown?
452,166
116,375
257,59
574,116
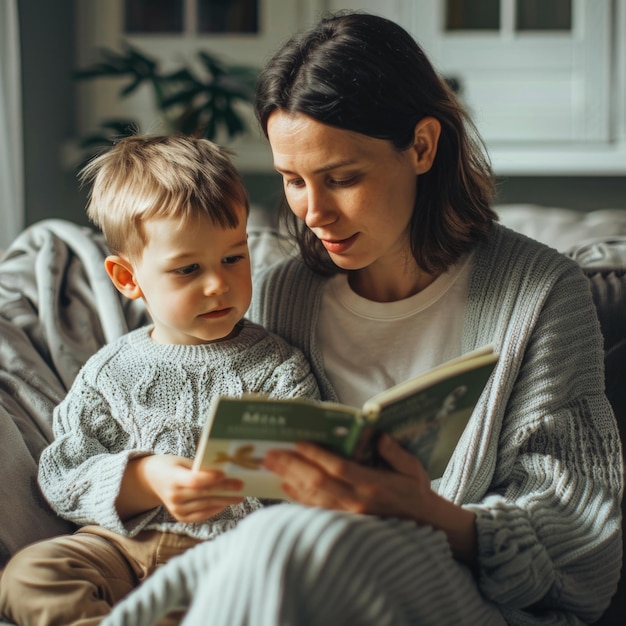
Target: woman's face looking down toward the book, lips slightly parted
355,193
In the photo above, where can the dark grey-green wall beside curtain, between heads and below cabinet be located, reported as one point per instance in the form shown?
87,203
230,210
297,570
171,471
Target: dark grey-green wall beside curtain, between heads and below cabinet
48,34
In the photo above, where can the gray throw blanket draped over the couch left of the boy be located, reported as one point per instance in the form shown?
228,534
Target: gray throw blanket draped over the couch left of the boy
57,307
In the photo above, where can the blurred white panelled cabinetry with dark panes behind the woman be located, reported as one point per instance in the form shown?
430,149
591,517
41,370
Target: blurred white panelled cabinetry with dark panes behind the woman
545,80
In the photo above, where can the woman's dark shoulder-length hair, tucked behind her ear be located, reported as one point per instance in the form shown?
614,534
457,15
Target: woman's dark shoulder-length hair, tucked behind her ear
364,73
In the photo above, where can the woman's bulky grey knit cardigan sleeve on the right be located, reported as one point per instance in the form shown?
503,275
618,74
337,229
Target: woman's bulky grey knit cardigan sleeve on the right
549,532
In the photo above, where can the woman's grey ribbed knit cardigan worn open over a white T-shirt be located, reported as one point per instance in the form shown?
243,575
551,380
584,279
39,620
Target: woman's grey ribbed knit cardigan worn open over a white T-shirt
540,462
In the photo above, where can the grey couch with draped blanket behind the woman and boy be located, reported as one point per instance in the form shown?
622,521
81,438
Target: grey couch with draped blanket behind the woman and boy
57,307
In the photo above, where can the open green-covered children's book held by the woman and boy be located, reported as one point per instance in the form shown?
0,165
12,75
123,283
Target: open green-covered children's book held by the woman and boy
426,414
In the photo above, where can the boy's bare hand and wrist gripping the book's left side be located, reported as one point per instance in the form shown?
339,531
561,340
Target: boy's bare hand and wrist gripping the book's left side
166,479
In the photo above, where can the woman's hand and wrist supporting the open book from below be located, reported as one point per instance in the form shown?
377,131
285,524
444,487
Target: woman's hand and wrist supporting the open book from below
316,477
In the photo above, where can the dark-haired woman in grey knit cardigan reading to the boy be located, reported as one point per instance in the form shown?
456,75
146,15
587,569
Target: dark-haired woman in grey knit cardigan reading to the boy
402,267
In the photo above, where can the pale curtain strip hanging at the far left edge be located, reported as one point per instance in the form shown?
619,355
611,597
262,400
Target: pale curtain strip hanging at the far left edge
11,147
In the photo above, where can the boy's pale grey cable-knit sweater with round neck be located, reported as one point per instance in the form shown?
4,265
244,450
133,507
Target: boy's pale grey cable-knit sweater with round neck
136,397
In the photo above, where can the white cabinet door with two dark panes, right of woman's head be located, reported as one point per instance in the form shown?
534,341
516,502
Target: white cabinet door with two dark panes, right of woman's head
530,71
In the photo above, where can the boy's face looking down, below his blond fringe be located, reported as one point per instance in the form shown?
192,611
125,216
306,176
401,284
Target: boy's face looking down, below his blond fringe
195,280
